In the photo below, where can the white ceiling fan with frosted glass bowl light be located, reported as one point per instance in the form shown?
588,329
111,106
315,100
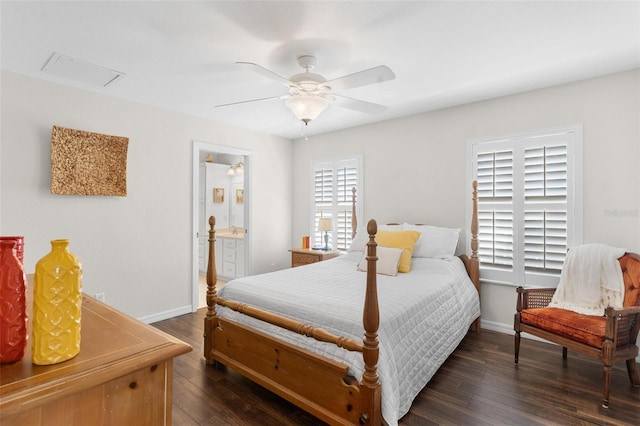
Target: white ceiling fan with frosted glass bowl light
310,93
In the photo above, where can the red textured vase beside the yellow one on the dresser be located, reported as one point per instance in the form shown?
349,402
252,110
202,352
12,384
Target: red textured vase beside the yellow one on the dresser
13,304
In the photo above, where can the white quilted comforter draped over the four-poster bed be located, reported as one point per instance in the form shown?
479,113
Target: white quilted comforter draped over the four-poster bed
424,315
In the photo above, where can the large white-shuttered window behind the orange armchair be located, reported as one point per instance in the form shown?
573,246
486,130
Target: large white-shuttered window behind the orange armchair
529,204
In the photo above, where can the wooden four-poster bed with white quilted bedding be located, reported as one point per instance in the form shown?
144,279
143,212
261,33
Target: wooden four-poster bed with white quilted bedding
312,358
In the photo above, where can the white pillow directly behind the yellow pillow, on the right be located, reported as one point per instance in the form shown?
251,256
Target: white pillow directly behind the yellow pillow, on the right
435,241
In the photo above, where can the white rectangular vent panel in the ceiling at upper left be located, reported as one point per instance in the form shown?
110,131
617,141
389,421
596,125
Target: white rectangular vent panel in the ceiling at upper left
75,69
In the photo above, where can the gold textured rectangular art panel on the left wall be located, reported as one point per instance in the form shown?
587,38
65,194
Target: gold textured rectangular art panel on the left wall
86,163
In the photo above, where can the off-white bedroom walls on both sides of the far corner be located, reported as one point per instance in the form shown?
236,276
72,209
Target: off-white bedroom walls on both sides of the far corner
137,249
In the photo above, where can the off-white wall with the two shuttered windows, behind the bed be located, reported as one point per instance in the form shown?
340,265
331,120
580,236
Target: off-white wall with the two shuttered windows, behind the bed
415,167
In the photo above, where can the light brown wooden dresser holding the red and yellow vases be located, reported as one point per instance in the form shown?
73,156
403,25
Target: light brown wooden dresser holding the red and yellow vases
122,376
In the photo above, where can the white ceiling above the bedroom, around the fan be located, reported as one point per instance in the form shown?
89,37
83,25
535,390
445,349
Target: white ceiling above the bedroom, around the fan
180,55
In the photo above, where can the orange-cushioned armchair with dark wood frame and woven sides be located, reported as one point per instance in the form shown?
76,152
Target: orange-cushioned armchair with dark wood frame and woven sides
610,338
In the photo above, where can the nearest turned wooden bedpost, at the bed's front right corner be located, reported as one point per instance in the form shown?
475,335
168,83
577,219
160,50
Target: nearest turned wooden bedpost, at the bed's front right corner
371,322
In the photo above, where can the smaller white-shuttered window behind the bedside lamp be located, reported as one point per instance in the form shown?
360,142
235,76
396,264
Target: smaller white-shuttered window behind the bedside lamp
332,194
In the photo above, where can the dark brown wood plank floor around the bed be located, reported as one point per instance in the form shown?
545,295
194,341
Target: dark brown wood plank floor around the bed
478,385
